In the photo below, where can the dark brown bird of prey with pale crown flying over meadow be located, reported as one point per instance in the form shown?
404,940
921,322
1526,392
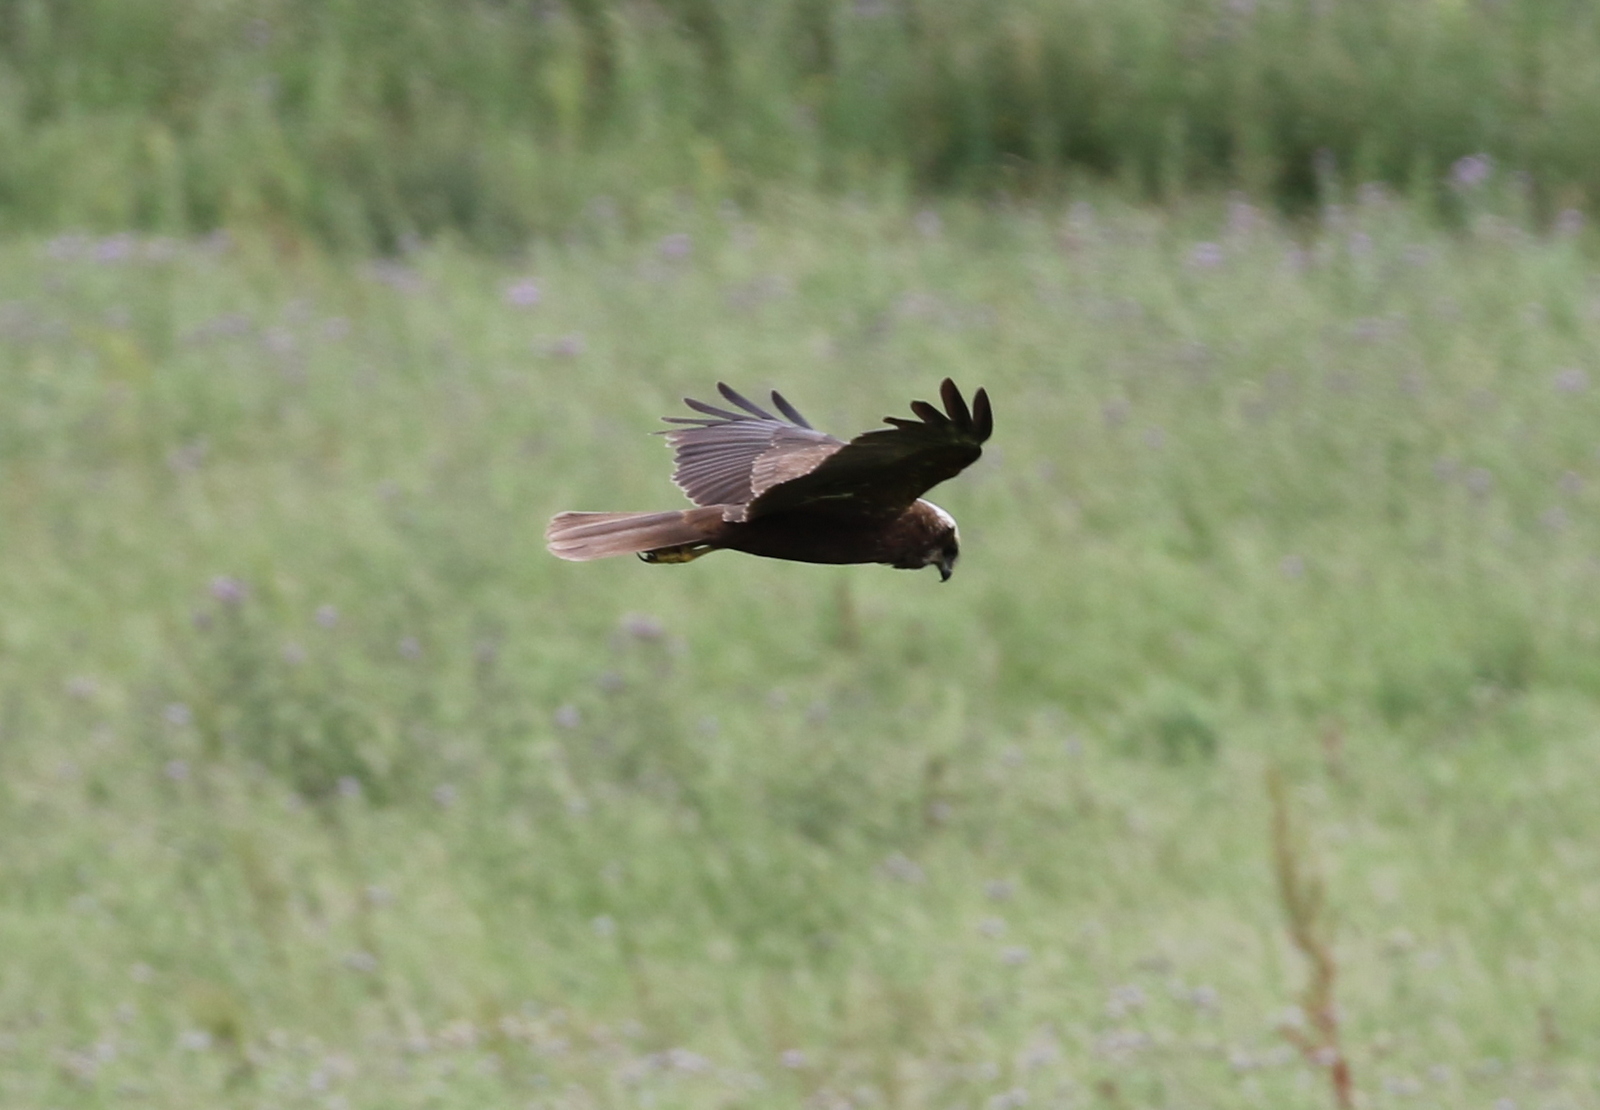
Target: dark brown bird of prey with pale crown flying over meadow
775,487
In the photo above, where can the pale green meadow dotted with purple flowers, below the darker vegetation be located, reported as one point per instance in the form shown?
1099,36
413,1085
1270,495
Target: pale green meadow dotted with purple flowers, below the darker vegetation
324,786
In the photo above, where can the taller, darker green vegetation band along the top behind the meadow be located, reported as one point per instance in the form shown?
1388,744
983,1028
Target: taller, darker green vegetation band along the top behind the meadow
369,124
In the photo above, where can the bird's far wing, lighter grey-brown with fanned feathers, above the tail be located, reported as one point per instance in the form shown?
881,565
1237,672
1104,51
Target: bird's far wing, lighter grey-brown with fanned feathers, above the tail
729,458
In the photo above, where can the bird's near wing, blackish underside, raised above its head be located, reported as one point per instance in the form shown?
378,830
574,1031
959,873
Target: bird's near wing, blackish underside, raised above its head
881,474
